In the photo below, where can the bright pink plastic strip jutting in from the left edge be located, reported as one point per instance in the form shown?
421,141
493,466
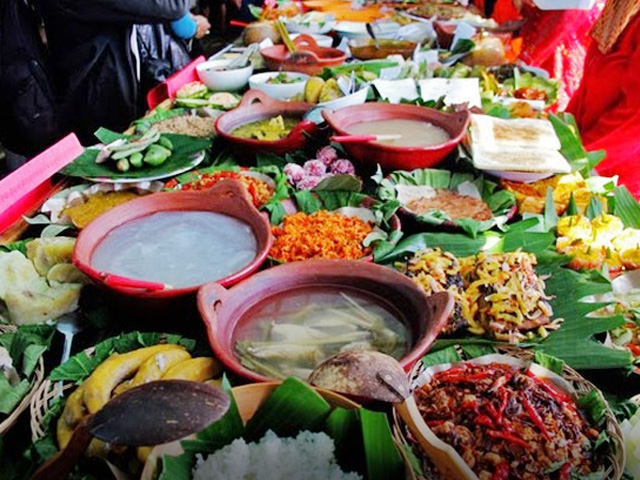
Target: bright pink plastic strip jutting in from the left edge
31,184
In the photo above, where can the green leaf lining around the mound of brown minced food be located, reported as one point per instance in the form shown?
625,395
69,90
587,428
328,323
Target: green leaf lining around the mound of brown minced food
501,202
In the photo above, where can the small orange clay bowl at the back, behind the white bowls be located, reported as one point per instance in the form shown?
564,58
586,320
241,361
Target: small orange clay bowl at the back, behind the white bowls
310,58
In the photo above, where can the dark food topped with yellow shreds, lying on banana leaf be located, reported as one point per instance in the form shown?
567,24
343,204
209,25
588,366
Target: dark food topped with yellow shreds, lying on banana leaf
499,295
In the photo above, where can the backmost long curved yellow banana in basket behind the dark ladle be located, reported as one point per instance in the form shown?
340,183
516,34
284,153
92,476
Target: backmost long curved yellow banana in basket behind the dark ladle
116,368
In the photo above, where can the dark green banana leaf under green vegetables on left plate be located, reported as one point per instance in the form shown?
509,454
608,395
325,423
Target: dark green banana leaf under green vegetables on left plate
185,149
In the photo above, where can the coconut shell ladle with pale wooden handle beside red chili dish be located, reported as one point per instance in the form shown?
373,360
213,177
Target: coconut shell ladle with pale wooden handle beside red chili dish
373,375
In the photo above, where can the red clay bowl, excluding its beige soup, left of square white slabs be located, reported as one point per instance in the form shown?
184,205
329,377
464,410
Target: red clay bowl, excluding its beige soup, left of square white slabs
391,157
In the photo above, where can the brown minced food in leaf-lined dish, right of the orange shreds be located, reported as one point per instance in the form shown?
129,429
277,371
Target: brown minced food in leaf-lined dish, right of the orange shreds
453,204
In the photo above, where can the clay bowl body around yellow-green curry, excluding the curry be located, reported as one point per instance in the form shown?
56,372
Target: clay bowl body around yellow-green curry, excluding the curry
257,105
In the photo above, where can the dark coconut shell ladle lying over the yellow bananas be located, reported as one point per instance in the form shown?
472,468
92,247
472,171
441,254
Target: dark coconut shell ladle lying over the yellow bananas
151,414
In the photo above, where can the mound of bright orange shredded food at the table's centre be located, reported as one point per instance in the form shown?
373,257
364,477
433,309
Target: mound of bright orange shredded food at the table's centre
322,234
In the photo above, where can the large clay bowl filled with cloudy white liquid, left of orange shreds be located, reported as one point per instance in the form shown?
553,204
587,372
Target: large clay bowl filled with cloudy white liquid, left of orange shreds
166,245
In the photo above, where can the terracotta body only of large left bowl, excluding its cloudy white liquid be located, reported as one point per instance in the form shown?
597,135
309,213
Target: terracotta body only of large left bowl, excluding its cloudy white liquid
227,197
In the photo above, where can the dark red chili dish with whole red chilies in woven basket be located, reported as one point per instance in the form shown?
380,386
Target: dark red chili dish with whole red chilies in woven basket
506,423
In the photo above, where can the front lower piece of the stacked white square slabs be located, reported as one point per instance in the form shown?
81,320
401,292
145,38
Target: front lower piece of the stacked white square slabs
520,160
